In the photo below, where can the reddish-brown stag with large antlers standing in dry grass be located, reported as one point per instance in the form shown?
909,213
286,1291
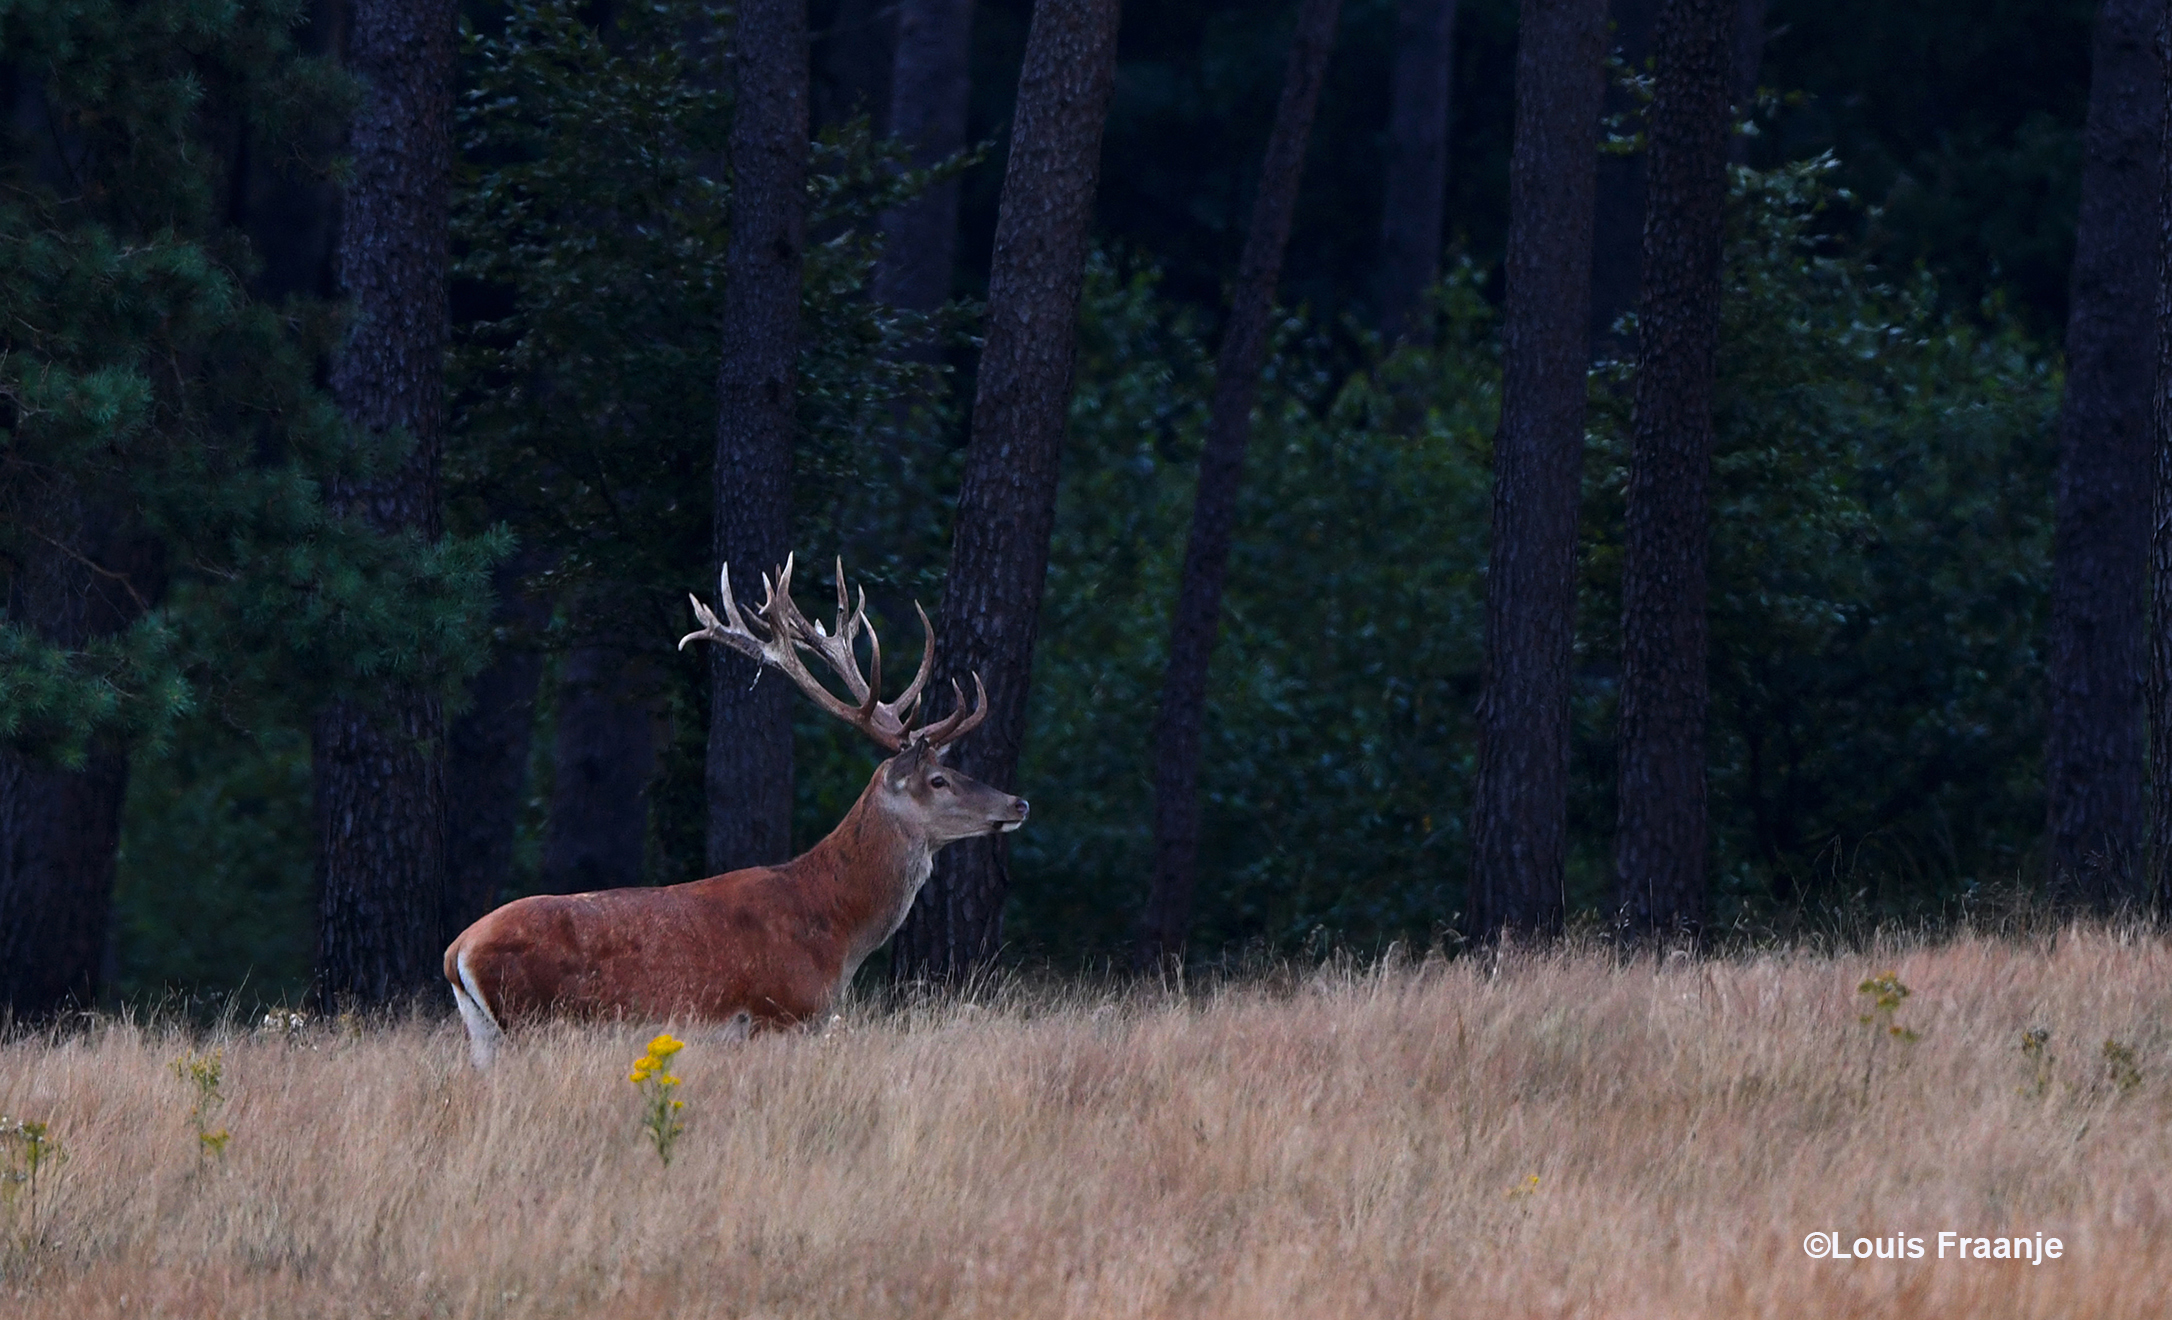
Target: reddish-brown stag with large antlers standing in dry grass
768,945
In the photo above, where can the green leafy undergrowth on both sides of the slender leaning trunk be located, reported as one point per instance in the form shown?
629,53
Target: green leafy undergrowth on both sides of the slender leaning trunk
1339,709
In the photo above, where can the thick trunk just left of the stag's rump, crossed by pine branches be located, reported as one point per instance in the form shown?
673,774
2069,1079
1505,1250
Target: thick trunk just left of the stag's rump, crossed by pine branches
381,791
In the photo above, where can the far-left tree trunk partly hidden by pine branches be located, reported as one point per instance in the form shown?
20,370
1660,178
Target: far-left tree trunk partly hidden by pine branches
60,830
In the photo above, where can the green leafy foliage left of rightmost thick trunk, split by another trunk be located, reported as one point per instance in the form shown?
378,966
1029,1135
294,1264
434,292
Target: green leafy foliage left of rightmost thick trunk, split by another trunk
1880,566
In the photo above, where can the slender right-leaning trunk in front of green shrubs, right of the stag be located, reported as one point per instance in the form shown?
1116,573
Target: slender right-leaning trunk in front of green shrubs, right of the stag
1207,557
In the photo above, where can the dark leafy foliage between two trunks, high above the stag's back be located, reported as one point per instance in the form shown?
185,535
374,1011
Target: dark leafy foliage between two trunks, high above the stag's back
592,229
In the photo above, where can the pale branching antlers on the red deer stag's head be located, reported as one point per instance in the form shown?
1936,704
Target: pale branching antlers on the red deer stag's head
785,633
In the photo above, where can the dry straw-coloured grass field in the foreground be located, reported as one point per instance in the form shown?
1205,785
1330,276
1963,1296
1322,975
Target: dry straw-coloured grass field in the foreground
1524,1137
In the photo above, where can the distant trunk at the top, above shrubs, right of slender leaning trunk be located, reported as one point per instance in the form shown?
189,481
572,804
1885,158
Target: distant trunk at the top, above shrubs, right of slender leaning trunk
1417,168
